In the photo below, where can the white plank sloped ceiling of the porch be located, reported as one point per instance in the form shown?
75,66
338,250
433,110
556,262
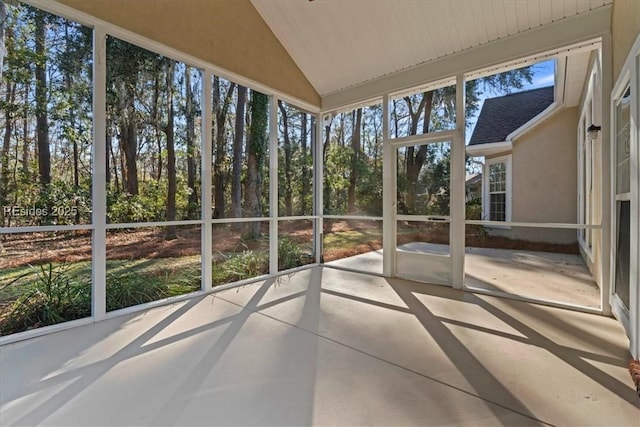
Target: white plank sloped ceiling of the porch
341,44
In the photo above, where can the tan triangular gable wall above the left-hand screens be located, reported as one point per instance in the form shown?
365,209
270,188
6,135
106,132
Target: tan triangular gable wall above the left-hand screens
227,33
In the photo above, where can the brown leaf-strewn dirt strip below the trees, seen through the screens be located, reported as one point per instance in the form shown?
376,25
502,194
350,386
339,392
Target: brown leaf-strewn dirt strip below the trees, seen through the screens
148,243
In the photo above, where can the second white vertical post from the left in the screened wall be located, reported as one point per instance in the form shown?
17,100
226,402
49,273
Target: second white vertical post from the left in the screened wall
206,243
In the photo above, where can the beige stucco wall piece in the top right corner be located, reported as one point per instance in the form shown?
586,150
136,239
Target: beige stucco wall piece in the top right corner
625,27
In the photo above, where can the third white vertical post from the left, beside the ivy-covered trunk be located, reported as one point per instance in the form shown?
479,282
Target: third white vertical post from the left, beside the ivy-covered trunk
273,185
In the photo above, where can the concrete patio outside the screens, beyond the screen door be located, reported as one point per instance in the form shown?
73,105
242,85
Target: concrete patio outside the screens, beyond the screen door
553,277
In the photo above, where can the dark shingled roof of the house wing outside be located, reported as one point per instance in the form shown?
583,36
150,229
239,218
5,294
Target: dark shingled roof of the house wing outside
502,115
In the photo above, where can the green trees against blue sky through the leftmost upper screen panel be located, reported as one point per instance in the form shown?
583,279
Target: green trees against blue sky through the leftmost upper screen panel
67,59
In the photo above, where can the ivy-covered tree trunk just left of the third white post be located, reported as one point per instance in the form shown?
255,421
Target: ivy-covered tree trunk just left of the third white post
257,146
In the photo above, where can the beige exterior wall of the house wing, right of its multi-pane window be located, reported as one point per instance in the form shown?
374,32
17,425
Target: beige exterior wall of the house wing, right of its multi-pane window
544,179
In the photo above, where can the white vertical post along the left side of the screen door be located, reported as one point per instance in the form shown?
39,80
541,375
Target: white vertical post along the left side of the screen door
389,179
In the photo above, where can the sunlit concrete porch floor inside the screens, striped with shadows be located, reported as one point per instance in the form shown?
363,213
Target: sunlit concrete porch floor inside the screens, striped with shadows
326,347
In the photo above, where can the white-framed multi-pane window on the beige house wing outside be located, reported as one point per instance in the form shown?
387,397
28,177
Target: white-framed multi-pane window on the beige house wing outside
497,197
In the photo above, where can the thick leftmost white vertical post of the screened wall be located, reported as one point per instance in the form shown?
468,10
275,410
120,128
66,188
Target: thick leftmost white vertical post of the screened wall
99,185
